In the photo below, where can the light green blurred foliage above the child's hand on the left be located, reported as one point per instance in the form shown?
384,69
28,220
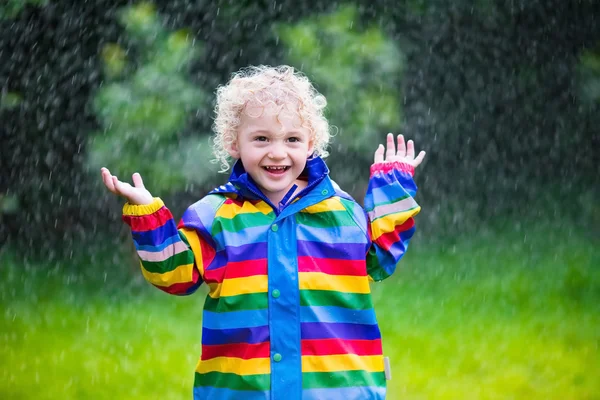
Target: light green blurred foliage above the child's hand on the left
145,105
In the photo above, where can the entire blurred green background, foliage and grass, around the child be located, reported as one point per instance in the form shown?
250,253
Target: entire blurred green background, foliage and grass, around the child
499,295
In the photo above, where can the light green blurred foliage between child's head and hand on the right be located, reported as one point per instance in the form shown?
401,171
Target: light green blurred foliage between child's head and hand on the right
358,71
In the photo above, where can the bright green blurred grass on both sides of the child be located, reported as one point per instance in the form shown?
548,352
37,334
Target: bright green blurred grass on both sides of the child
503,315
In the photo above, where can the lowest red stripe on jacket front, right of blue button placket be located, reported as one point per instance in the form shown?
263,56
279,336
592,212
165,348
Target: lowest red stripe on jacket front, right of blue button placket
325,347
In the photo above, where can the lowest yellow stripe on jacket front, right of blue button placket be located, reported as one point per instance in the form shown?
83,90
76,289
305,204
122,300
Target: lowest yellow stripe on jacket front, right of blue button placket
342,362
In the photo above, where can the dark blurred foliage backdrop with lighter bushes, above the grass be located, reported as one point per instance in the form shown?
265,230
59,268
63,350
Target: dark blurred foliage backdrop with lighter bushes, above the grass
494,90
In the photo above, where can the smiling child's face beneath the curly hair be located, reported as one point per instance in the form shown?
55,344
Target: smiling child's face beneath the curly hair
273,146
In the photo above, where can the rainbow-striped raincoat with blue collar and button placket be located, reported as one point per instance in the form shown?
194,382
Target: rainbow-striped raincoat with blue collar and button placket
289,313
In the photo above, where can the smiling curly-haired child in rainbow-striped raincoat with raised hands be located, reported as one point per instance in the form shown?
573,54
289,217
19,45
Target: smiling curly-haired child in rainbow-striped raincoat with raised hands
286,254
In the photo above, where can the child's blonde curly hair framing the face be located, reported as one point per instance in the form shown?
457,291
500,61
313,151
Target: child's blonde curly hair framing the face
281,86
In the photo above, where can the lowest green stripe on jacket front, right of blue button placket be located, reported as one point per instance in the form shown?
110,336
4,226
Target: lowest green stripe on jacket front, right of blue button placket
313,380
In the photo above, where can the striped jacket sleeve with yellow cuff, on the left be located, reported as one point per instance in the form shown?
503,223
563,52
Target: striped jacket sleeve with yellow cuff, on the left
172,257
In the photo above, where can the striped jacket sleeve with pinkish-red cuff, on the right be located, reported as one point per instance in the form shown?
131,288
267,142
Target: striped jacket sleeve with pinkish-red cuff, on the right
390,209
